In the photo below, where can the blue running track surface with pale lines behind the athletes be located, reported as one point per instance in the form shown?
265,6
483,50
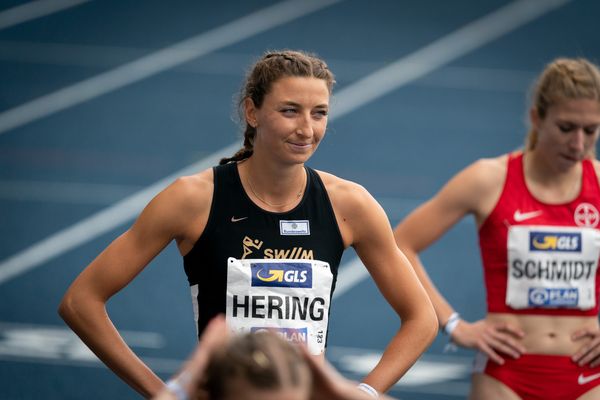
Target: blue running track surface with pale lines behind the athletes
102,103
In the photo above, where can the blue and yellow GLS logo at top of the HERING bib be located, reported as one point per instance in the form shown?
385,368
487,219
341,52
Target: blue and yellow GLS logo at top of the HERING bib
298,275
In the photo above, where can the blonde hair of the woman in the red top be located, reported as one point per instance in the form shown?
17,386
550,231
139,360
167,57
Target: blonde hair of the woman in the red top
563,79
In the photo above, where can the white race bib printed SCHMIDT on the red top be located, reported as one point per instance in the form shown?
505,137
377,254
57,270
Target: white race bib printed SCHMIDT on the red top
552,267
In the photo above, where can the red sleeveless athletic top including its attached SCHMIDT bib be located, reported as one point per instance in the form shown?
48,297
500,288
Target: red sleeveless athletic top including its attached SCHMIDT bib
542,258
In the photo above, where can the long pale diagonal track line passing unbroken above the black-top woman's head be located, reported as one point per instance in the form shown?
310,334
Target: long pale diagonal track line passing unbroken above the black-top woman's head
162,60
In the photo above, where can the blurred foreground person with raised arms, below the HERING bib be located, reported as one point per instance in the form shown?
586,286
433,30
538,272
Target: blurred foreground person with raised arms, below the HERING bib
256,366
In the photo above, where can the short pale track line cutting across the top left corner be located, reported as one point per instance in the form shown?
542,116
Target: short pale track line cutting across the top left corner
35,9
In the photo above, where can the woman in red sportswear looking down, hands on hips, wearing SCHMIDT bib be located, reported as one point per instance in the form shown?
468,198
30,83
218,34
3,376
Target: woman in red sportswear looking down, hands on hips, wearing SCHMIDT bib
537,214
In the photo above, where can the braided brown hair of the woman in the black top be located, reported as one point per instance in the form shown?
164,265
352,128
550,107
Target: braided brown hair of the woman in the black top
274,65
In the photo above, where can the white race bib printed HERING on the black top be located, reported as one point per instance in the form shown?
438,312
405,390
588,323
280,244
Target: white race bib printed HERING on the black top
290,297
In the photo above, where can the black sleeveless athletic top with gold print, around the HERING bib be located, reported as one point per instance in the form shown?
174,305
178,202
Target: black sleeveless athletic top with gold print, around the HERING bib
238,228
